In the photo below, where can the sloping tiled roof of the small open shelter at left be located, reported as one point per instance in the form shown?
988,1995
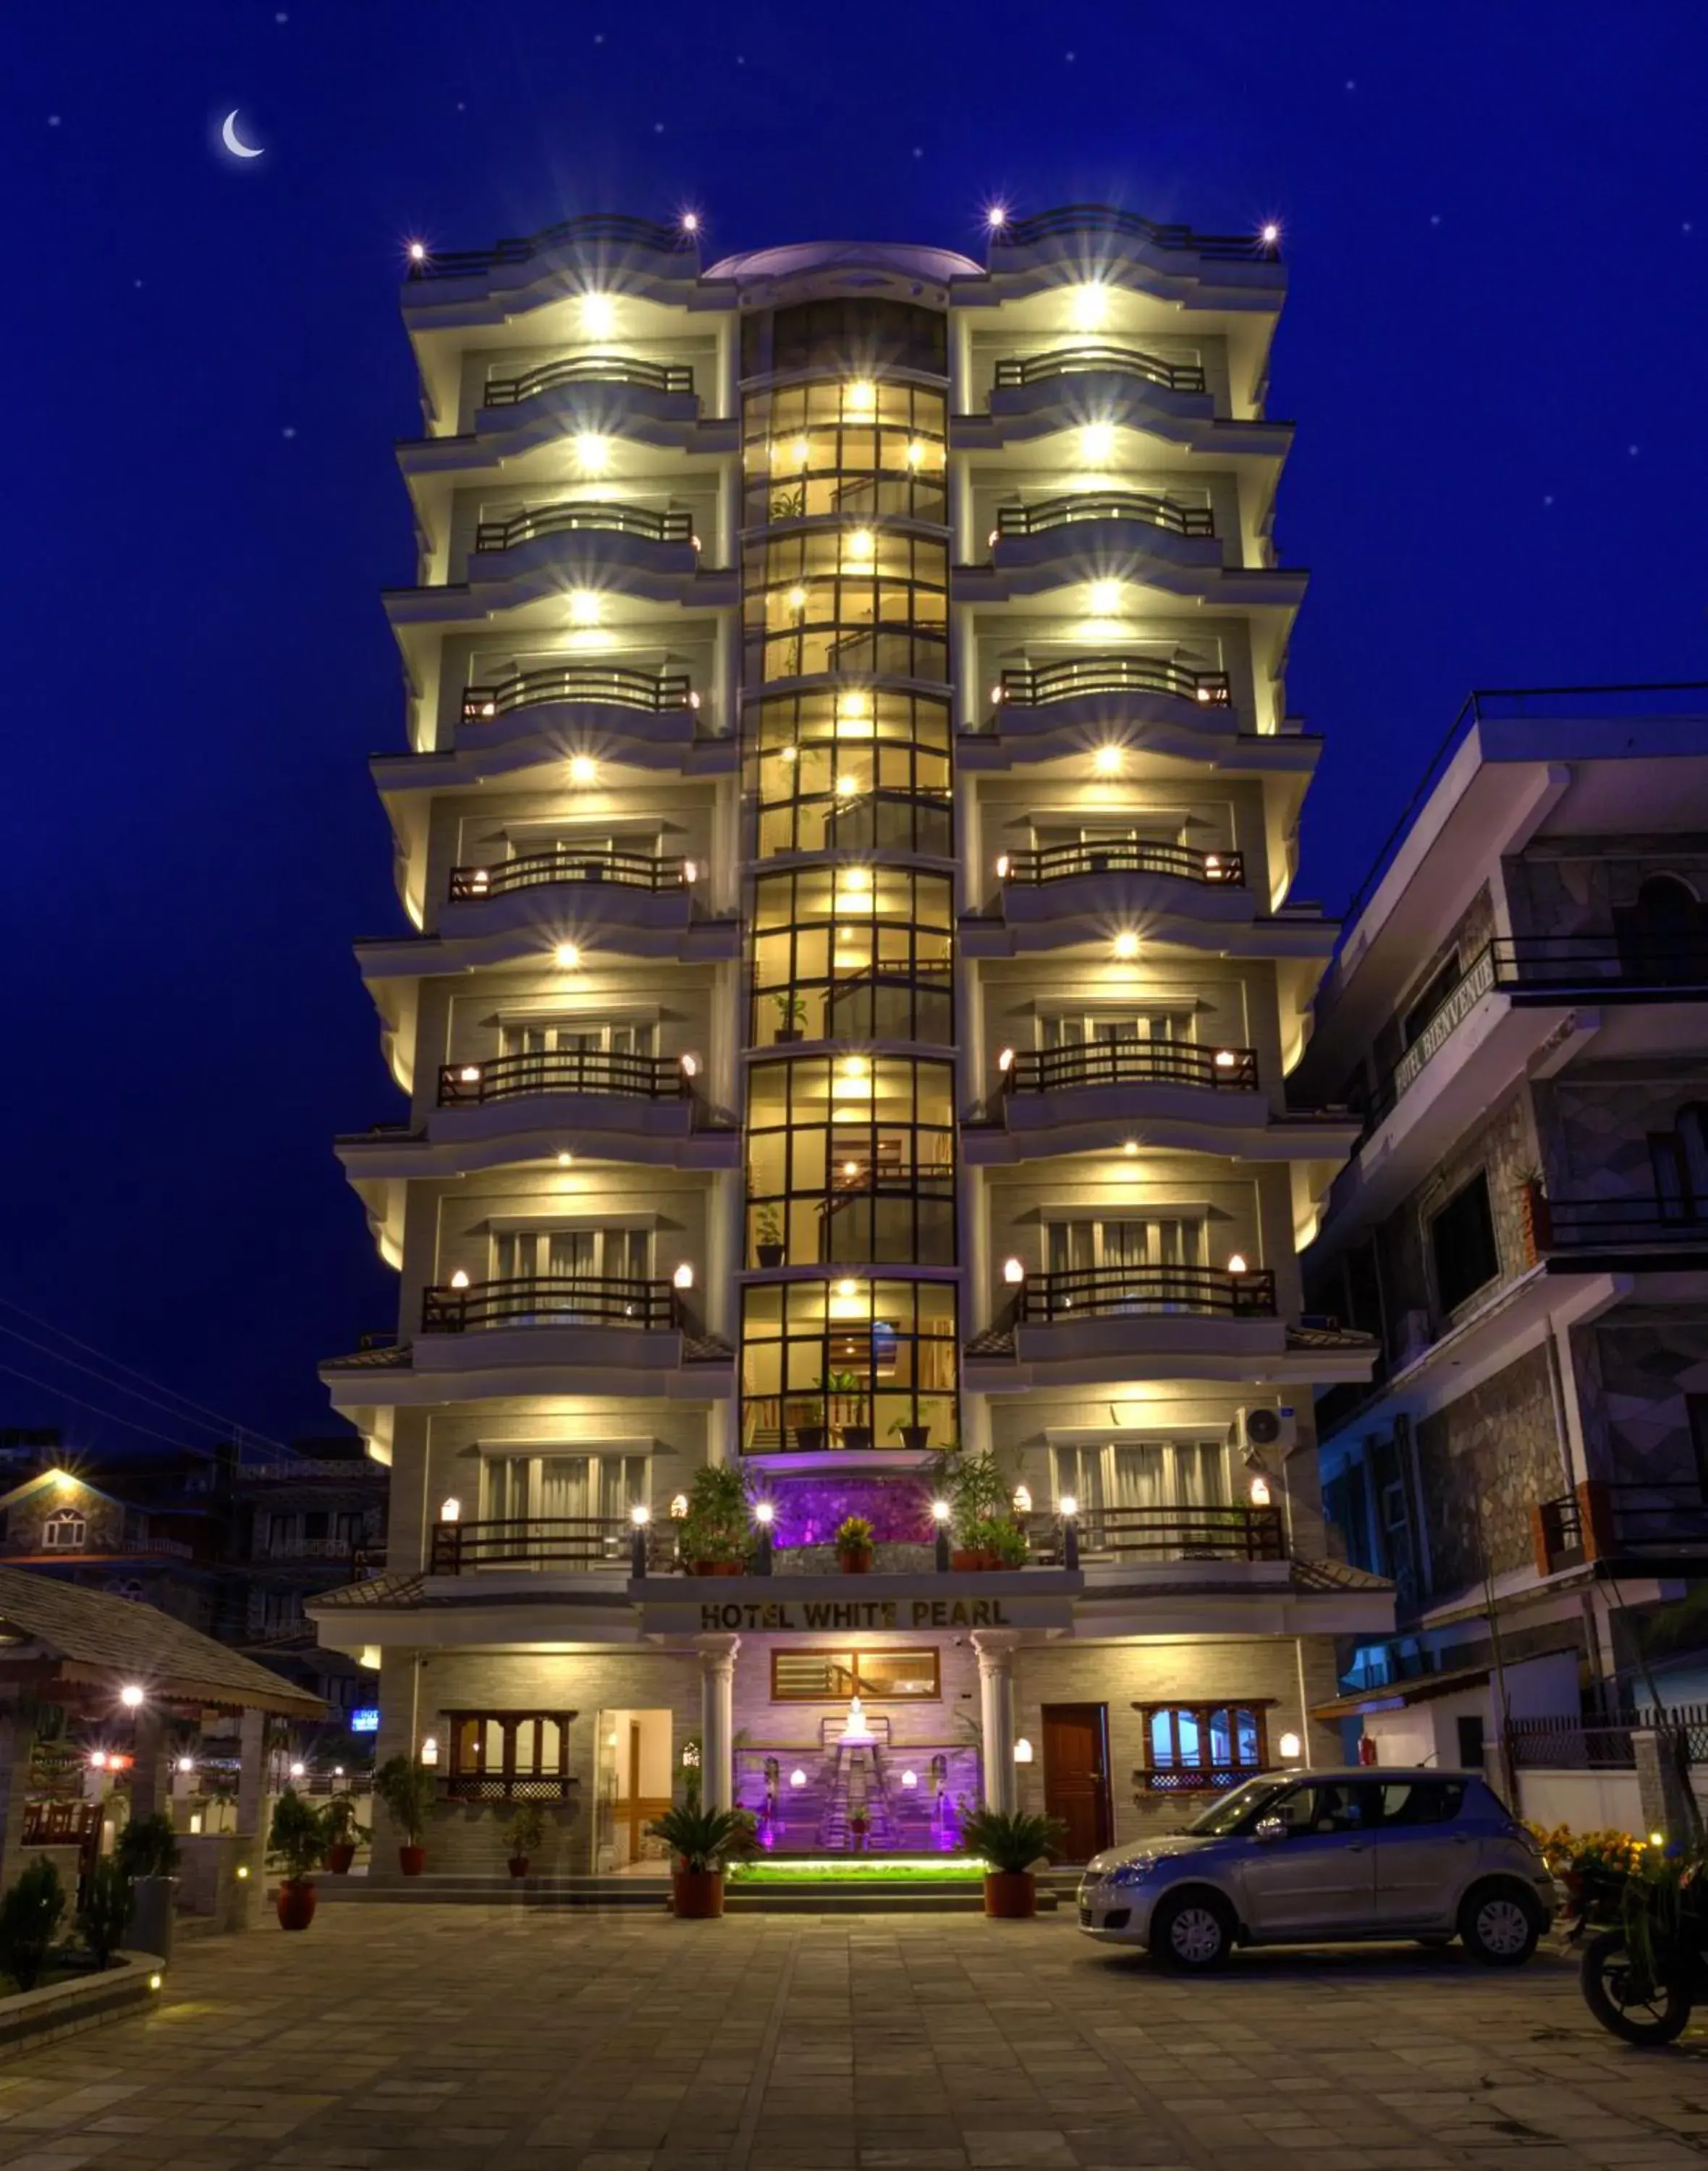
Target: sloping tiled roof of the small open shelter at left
68,1647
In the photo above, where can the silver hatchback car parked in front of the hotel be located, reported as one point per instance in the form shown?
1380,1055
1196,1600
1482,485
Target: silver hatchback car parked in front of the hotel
1327,1857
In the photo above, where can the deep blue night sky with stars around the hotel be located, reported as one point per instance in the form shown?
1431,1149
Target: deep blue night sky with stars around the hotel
1499,236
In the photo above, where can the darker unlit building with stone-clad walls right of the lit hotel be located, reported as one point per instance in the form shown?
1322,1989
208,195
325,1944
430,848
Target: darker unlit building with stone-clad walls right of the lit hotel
1520,1017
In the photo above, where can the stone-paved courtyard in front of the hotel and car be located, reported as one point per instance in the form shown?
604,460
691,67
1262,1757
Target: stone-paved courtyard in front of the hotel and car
455,2040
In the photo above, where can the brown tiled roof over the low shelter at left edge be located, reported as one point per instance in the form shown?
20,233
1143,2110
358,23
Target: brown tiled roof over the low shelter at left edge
116,1640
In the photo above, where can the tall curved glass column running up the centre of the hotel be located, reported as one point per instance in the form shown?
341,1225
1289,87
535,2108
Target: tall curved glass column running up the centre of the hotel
850,1330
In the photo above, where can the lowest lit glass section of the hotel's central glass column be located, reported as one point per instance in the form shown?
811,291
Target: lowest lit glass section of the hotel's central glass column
856,1351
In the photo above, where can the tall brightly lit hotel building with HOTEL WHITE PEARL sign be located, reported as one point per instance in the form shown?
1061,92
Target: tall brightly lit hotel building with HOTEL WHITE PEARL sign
847,835
